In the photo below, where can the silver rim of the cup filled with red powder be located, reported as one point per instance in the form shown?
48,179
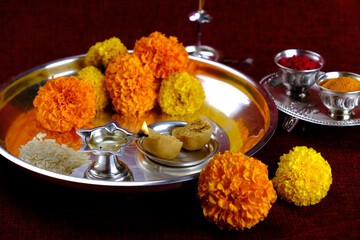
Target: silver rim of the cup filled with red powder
303,52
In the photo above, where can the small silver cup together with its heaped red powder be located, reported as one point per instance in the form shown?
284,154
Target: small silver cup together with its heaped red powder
298,70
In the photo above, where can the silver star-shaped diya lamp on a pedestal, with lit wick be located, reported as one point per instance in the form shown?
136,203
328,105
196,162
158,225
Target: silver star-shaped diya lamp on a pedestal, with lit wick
107,143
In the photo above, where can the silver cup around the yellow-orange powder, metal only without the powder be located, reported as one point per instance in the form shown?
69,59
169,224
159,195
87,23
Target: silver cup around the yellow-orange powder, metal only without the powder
340,104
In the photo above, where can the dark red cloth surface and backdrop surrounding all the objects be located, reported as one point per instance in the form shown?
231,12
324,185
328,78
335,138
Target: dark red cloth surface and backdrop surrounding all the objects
36,32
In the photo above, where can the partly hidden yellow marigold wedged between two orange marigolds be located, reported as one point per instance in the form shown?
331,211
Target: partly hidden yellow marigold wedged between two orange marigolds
96,79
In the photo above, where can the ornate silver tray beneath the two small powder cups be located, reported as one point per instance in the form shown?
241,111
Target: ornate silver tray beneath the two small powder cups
309,109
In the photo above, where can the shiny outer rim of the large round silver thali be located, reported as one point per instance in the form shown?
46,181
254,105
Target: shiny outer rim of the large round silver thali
137,186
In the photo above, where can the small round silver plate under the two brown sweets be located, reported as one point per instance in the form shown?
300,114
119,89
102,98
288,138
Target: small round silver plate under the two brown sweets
187,158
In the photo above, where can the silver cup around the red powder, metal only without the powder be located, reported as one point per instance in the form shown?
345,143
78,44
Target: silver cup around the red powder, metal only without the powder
298,82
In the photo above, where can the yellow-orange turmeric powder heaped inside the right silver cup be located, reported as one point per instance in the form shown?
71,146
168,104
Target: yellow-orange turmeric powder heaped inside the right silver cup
342,84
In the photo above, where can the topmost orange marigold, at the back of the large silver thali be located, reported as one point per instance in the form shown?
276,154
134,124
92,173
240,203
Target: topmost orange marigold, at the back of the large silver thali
164,55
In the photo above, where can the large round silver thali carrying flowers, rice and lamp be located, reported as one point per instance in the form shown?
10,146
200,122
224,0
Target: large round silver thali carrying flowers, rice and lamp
242,114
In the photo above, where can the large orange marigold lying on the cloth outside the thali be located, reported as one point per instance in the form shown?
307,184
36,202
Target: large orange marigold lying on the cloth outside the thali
235,191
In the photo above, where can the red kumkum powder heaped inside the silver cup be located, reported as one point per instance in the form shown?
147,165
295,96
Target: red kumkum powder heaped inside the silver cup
301,62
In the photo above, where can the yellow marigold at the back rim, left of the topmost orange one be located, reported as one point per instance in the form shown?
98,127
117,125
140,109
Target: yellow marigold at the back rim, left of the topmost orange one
102,53
